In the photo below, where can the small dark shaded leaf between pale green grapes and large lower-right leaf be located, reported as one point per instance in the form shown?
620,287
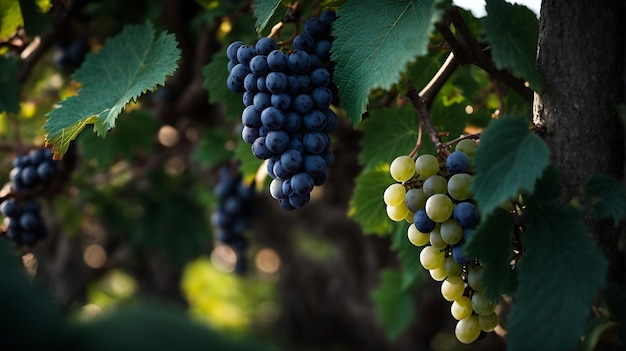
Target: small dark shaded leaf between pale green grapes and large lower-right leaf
492,244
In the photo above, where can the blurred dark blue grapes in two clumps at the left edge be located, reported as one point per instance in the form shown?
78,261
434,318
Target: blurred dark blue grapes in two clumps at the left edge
22,219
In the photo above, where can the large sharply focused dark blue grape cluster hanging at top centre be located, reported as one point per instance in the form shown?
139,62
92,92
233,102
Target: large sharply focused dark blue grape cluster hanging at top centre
287,117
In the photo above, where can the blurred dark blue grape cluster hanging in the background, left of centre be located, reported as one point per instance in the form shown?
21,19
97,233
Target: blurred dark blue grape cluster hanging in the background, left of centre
234,213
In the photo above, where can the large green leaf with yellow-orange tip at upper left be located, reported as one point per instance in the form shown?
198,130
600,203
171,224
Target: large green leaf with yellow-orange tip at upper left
128,65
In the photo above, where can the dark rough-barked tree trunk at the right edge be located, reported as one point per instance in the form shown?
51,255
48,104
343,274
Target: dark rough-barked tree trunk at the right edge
581,57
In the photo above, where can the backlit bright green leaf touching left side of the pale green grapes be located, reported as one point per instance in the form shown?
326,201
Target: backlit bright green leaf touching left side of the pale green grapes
366,205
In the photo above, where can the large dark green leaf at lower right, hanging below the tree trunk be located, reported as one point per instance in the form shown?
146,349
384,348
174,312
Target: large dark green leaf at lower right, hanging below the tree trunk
560,275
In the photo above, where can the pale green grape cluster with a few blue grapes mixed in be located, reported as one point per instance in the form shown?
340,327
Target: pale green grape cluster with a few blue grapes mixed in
437,200
